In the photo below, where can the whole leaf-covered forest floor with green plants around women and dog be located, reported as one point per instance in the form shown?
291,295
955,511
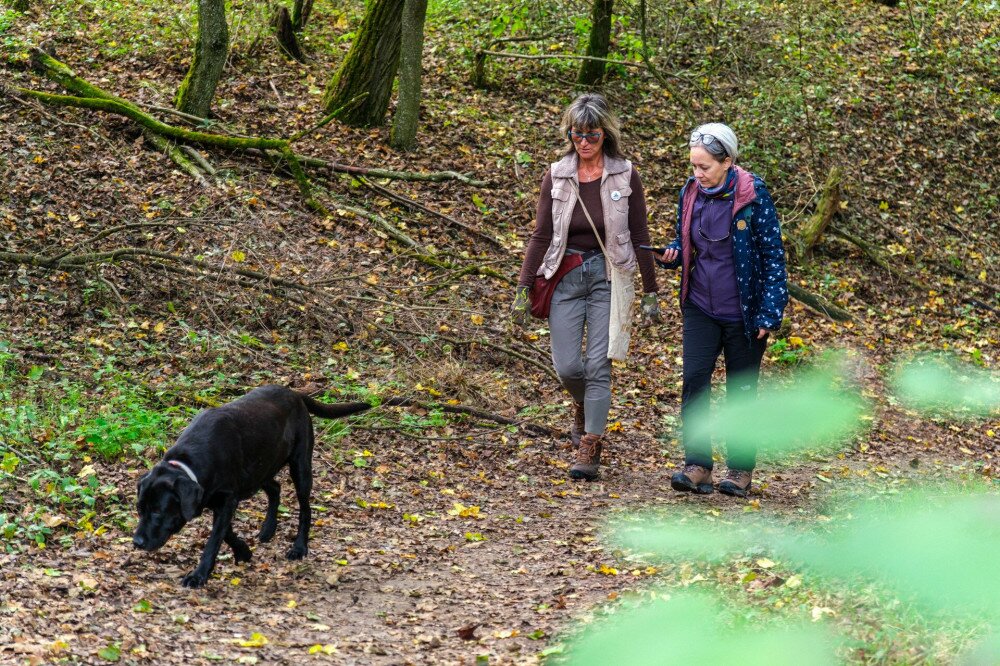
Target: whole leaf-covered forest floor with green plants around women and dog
442,536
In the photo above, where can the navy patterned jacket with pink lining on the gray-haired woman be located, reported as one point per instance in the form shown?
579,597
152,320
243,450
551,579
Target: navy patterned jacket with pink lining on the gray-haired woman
757,251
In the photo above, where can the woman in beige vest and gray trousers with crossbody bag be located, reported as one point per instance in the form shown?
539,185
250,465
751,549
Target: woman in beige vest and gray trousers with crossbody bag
592,173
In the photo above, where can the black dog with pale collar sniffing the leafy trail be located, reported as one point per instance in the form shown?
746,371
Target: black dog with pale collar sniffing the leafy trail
226,454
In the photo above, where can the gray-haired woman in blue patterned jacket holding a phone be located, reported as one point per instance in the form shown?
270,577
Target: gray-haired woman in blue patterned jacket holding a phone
733,292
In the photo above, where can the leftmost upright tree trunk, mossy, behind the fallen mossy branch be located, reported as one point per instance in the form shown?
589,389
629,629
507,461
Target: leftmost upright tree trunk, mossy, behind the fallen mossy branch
210,51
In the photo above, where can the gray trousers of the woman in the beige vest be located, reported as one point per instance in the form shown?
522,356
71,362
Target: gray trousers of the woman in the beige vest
582,300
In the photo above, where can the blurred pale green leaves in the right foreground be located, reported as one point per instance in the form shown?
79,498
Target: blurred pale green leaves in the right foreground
937,548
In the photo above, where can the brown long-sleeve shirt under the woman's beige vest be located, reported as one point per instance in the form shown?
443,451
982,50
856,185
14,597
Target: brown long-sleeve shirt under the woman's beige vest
581,236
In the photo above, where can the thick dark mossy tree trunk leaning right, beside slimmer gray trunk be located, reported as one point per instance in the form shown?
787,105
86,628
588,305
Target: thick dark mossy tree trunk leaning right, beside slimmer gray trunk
370,66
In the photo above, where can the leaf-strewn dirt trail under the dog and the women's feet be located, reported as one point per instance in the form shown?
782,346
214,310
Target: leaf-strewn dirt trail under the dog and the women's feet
384,589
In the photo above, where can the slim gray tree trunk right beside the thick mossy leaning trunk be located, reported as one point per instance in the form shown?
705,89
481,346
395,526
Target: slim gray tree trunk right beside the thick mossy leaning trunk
404,124
